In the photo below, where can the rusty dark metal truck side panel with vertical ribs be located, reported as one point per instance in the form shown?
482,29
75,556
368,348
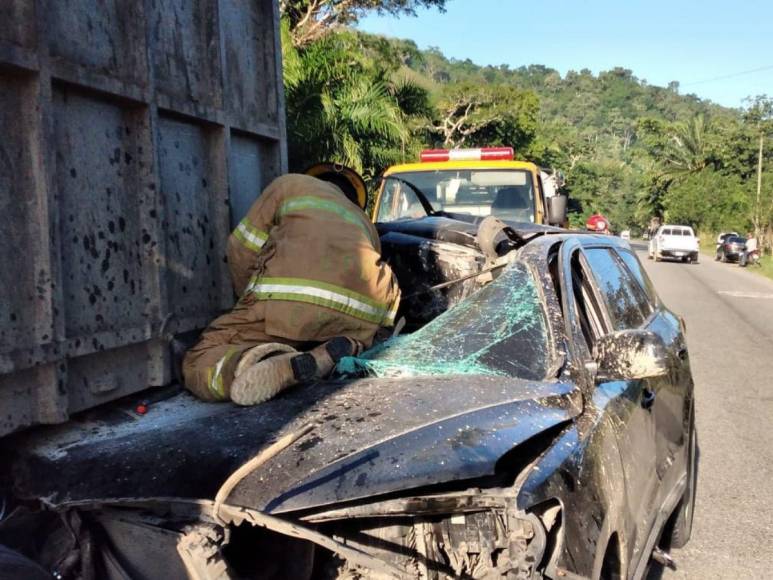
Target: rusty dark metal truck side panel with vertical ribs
135,134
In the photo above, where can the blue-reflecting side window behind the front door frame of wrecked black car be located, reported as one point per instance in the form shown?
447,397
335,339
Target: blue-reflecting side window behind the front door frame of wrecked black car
623,300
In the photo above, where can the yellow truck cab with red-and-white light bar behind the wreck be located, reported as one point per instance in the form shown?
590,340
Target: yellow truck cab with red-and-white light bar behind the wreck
468,185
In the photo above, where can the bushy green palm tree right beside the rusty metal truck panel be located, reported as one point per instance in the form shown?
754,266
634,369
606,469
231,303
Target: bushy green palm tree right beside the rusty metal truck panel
341,107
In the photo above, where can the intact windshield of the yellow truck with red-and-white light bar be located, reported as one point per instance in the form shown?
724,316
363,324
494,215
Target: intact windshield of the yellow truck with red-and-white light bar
505,193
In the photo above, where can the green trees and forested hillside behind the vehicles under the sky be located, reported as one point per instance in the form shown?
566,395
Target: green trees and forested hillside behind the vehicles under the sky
628,149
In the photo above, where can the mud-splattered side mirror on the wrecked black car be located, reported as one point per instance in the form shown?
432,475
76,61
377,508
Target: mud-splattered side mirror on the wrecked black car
629,355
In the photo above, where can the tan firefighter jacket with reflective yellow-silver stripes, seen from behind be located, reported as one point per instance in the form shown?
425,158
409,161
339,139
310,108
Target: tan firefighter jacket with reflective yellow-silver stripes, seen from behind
315,258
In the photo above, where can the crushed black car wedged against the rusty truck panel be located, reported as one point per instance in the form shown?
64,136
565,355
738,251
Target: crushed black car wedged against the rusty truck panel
533,419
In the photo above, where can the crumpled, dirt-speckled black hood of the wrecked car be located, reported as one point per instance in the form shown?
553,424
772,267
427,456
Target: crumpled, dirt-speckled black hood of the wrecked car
369,437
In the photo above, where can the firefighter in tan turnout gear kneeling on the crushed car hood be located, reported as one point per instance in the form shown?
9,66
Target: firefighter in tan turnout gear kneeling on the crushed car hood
306,261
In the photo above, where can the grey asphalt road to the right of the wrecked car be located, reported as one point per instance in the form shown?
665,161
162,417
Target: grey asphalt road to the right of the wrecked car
729,316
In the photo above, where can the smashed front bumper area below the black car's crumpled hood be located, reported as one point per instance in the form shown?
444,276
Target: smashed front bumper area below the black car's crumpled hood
471,534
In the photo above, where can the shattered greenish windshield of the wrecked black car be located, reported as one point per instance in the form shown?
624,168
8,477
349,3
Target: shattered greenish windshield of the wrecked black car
501,330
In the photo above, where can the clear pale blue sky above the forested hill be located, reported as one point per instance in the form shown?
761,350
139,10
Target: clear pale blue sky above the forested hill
697,43
